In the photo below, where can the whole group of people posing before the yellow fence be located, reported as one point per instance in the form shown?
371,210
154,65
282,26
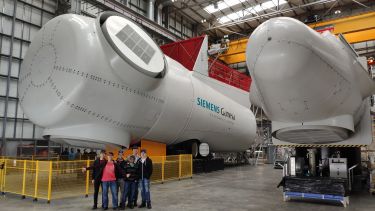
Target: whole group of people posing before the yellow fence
122,175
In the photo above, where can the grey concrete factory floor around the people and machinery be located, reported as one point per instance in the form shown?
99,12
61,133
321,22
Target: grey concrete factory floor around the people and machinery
240,188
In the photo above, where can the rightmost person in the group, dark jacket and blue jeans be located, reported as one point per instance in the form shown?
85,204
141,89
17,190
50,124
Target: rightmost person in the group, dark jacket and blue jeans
145,172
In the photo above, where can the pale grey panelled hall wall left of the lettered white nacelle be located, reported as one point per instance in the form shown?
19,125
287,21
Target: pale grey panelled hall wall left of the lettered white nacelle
20,20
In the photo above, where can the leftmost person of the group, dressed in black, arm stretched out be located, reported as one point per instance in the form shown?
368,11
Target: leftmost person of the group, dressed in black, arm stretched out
97,173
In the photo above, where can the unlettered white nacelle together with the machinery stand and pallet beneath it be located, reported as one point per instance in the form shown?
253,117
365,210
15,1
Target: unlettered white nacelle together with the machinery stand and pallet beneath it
315,89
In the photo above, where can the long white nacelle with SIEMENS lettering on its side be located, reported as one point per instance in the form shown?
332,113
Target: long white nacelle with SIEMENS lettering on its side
105,81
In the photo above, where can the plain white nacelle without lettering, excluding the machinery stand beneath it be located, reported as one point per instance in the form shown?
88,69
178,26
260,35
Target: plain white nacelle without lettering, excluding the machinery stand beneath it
313,86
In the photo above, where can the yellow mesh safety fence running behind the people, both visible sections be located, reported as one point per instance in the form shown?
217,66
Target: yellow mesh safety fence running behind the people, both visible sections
51,179
